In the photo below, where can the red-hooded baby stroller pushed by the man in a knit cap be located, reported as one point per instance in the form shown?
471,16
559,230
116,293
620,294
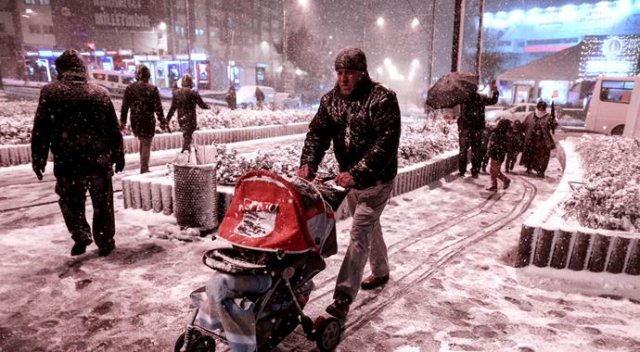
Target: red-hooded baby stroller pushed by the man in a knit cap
277,230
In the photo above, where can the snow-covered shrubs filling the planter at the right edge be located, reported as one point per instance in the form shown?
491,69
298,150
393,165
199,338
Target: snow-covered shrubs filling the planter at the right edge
610,196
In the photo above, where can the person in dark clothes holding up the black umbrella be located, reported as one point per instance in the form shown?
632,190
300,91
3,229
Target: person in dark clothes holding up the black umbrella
470,125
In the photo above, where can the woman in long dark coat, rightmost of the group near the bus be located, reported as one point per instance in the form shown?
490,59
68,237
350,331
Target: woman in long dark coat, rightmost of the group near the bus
538,141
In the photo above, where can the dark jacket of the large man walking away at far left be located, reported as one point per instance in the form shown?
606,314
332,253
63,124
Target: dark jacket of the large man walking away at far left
77,121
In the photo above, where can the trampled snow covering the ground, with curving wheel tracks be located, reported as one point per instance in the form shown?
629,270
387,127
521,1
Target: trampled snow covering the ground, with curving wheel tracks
452,285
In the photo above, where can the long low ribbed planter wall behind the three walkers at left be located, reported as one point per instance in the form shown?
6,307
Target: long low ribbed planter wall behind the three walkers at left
21,153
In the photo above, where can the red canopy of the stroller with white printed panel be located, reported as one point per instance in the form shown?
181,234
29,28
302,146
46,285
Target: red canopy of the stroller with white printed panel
269,212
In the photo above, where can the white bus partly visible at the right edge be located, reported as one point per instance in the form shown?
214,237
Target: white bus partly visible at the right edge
614,98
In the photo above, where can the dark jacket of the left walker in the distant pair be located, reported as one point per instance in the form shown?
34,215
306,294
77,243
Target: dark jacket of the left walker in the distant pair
144,100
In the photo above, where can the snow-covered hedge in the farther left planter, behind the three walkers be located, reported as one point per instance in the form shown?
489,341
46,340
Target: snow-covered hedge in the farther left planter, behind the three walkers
16,119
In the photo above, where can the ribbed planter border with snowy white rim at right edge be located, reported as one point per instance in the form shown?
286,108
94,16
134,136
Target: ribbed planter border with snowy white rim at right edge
546,241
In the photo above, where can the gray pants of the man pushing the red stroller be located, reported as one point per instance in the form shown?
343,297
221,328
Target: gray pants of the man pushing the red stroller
366,241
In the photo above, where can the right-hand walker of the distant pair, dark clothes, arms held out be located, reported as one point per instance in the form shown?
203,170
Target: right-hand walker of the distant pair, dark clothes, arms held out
185,100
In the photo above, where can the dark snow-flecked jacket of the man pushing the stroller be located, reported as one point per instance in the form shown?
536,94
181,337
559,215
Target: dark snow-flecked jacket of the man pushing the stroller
364,129
